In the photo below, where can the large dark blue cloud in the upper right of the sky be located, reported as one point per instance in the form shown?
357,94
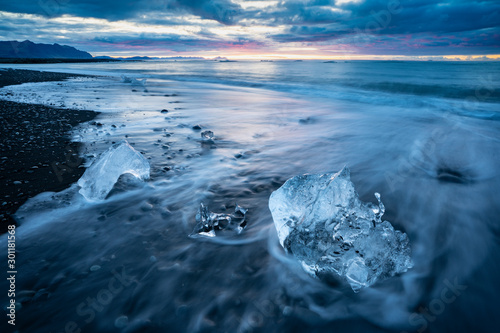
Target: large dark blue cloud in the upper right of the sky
380,17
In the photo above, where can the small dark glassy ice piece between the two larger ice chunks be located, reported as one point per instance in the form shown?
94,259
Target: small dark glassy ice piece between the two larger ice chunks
208,222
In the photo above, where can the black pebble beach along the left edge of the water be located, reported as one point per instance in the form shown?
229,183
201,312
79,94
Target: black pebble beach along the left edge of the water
36,153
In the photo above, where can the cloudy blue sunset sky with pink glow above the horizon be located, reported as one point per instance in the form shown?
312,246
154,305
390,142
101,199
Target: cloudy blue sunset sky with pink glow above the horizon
259,29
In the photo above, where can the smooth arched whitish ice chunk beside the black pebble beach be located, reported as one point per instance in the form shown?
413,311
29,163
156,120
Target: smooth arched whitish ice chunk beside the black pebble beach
120,158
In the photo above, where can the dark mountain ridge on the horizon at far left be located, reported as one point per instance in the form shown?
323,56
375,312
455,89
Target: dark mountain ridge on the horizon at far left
28,49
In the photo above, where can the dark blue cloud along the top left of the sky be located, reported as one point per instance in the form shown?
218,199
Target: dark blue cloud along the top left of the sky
219,10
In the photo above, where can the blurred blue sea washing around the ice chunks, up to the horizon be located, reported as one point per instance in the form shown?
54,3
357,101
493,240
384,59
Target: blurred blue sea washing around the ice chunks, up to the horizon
423,134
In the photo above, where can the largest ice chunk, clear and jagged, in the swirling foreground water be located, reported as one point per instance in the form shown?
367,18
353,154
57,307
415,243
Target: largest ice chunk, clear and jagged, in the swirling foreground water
322,222
